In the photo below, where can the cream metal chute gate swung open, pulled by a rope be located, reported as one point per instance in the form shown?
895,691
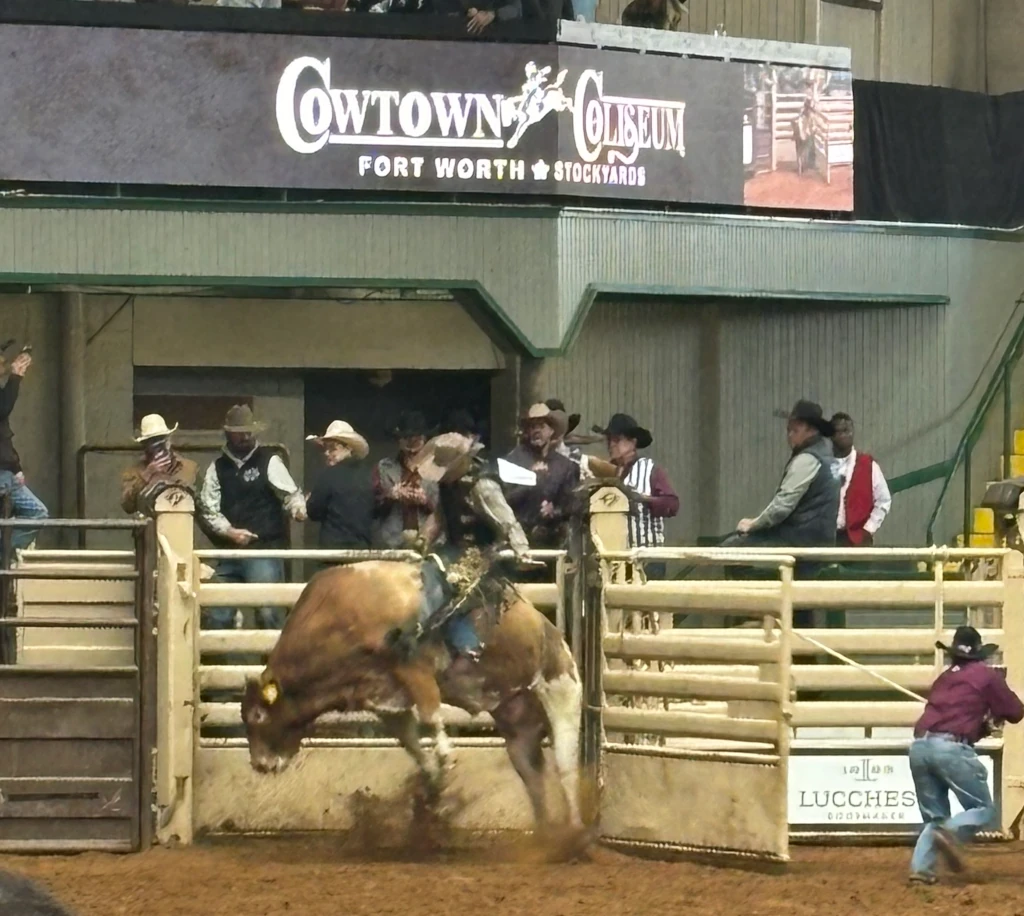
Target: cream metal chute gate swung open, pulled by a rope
691,756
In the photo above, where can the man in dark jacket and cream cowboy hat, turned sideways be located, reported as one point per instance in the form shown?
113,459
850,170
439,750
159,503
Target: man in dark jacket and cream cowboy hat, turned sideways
342,500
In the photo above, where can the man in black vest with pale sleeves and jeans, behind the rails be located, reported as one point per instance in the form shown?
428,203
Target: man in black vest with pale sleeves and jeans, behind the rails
241,506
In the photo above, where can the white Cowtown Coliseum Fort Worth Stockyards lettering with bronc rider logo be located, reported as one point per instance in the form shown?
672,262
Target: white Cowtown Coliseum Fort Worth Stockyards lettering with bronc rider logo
610,132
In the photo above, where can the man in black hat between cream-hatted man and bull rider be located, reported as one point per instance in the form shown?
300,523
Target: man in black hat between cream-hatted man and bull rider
405,502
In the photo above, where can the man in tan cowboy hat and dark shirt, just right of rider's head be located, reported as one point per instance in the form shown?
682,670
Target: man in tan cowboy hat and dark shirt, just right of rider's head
544,510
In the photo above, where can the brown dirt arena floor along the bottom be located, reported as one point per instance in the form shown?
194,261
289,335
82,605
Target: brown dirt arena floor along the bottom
325,877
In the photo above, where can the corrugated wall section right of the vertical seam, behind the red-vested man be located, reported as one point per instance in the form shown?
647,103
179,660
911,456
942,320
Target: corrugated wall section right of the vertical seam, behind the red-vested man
885,367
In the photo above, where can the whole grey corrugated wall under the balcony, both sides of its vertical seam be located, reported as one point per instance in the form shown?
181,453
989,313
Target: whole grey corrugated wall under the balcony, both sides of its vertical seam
886,367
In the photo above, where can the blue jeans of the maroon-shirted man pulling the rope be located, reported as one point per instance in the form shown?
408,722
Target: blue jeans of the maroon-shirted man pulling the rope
942,766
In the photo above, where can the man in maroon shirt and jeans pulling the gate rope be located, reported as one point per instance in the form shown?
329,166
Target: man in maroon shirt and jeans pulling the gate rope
966,702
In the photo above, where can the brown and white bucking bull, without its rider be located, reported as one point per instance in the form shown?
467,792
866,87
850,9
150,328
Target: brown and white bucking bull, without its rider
330,659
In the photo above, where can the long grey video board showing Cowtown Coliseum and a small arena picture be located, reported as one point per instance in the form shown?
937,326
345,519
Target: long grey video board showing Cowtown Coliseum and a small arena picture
365,115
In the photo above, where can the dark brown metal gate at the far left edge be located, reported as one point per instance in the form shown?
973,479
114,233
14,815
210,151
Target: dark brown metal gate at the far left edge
77,706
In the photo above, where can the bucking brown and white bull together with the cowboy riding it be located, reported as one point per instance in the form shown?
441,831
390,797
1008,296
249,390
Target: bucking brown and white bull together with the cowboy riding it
401,641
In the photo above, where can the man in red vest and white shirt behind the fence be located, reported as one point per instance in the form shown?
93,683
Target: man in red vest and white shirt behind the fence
865,500
